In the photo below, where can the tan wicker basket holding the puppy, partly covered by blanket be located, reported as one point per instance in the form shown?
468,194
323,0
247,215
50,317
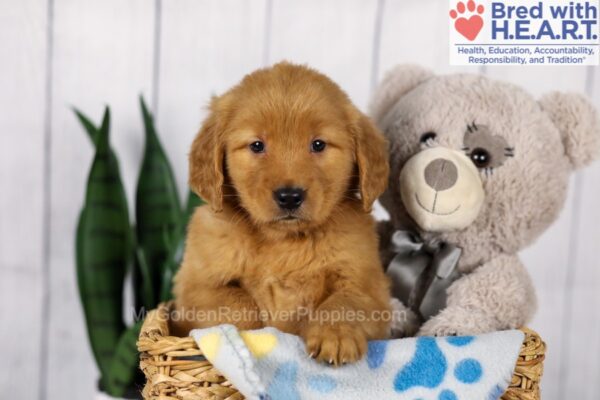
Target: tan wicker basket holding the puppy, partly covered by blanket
175,372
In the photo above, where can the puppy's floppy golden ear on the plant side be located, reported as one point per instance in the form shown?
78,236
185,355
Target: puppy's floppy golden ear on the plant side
206,160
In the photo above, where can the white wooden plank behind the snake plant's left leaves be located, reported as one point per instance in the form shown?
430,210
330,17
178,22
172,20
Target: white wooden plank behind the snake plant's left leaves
102,55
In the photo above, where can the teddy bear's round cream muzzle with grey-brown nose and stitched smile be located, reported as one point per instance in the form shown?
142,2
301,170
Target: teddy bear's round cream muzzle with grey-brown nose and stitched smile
441,190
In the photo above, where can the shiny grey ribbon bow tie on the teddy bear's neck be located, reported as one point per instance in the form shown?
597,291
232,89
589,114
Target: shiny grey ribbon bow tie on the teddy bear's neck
422,271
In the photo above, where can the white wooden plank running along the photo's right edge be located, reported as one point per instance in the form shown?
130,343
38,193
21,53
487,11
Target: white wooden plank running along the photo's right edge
582,329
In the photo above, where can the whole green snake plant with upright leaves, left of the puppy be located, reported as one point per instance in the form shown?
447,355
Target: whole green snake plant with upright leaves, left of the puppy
109,245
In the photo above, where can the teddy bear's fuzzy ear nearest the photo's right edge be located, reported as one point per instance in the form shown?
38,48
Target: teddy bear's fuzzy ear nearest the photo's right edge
578,123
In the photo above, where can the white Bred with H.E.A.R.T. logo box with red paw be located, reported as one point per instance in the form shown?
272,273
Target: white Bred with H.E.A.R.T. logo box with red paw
521,32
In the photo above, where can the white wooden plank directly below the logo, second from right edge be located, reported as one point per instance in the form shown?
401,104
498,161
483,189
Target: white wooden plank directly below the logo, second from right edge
548,259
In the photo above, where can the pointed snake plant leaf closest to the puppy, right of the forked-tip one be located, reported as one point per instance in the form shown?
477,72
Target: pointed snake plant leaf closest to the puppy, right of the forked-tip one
158,210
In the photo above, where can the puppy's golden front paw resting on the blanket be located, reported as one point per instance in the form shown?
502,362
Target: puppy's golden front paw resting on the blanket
336,344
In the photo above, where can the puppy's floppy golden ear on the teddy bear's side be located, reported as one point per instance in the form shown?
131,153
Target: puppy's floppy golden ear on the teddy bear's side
372,161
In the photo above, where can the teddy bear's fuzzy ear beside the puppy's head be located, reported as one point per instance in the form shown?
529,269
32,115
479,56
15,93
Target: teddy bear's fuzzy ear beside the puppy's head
395,84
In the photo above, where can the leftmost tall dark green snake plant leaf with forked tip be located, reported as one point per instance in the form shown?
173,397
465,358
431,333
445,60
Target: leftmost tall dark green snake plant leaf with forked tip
103,251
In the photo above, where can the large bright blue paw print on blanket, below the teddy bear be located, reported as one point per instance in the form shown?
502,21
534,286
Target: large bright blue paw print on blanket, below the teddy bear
429,366
